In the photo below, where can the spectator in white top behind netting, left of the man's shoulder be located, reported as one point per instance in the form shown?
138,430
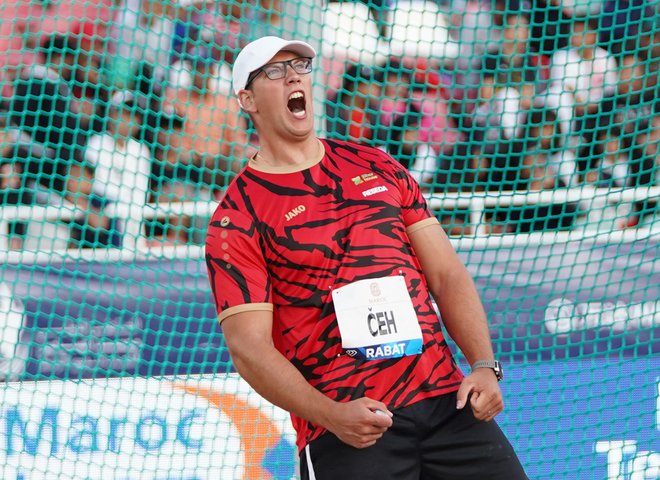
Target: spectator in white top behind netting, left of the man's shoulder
121,169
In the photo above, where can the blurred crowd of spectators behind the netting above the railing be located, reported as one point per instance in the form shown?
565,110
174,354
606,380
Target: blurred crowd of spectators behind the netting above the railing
130,102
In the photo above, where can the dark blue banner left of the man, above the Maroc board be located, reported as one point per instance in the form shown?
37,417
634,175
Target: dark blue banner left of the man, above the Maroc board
84,320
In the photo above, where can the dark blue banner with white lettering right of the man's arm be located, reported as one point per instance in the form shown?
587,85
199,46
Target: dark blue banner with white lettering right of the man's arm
570,300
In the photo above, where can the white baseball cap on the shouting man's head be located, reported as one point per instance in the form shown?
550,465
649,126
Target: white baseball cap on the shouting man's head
258,53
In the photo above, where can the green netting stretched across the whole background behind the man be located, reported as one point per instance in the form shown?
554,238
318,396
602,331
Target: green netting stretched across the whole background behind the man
531,126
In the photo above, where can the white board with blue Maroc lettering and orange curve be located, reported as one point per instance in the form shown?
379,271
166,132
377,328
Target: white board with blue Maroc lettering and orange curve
137,428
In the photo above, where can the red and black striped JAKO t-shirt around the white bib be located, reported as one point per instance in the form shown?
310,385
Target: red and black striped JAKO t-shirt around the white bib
282,241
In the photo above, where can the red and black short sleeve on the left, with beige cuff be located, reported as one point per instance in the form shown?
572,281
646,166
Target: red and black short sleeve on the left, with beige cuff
235,263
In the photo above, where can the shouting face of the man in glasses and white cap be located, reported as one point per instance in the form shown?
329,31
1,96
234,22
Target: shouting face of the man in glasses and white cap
283,105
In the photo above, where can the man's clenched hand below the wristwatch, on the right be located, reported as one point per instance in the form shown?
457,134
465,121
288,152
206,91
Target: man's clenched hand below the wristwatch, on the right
483,391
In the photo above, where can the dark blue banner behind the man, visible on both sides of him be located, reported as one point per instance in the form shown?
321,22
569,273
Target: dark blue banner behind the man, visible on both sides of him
86,319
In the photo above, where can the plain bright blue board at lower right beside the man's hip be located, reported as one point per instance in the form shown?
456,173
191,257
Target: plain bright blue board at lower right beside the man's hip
557,411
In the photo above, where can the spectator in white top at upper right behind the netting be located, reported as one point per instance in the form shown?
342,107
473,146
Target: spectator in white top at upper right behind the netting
581,76
